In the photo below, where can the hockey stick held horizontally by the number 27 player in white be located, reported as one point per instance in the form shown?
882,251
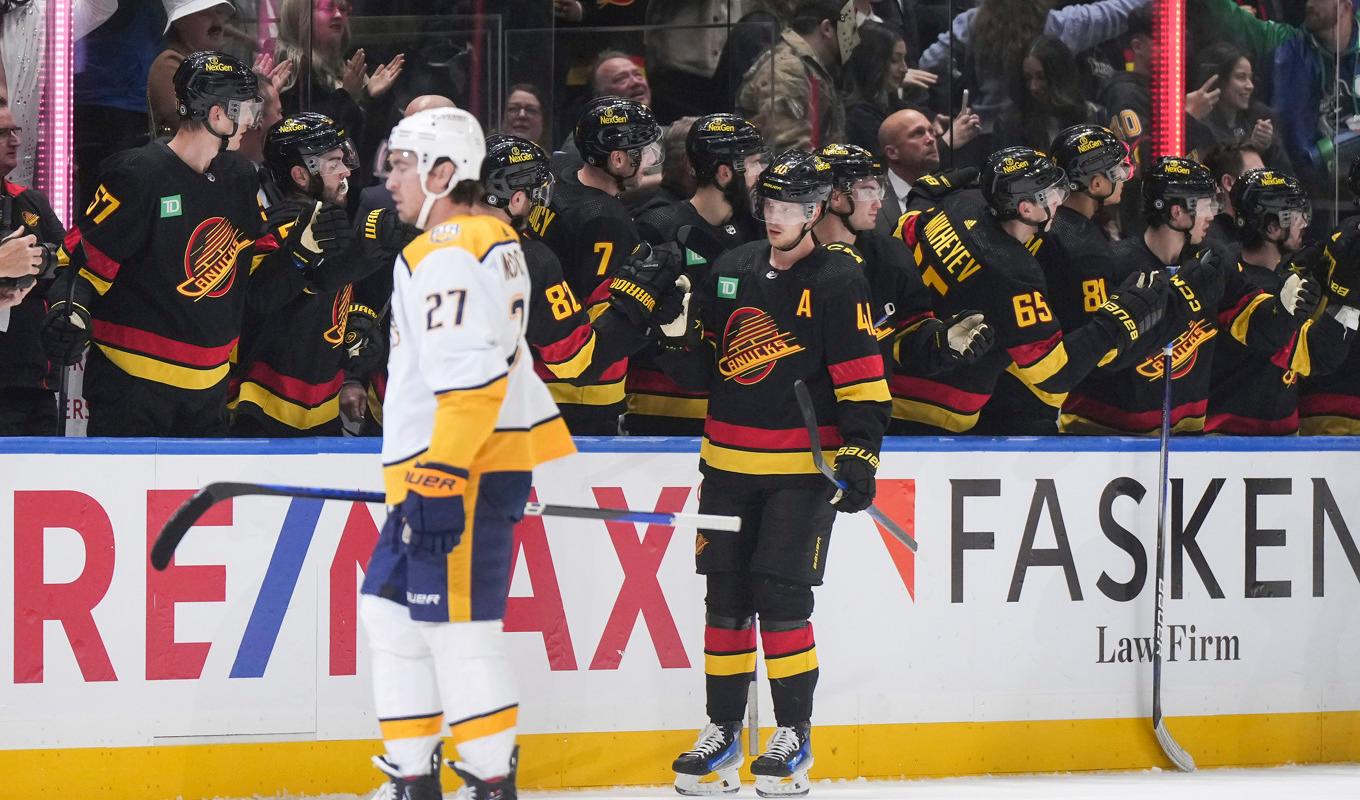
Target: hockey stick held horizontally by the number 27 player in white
203,500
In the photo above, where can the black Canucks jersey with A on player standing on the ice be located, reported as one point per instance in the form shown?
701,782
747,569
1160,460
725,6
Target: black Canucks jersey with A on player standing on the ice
765,329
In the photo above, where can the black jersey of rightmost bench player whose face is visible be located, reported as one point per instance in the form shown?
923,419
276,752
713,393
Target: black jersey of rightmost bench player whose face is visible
1252,394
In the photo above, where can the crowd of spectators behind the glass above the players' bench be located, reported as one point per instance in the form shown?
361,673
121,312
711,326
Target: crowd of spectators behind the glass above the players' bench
927,85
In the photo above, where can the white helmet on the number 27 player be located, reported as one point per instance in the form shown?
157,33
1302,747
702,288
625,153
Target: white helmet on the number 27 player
435,135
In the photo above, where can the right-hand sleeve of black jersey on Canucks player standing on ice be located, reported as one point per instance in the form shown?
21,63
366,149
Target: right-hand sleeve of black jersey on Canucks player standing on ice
855,364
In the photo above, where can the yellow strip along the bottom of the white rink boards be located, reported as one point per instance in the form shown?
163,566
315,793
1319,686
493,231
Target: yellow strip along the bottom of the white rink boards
556,761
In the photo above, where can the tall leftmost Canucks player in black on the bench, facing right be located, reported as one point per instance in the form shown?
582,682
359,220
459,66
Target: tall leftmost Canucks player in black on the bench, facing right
161,263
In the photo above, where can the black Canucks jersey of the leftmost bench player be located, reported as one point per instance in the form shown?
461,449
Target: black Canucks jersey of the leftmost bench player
164,256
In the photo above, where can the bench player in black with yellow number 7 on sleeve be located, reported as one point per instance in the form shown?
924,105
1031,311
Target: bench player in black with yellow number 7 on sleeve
591,232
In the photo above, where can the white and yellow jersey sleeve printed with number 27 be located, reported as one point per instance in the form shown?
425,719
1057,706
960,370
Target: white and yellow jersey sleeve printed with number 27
458,308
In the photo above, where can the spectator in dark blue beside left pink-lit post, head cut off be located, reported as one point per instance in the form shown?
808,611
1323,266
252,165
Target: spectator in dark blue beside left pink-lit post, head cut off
111,89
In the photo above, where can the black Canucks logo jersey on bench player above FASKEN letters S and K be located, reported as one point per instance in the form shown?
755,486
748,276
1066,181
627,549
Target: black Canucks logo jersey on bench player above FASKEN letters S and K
1215,303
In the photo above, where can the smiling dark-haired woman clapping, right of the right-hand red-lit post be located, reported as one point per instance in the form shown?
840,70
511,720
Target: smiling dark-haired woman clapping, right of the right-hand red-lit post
1237,118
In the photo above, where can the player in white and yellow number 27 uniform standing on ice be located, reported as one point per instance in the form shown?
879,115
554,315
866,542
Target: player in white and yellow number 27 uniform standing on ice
466,424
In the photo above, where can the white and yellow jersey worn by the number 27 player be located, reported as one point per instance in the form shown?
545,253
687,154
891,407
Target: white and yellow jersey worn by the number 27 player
462,390
